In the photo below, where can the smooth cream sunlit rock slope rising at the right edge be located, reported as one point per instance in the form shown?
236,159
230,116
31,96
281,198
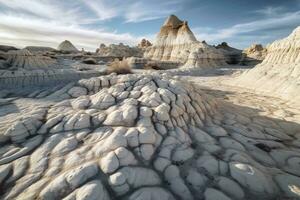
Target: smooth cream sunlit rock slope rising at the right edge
279,73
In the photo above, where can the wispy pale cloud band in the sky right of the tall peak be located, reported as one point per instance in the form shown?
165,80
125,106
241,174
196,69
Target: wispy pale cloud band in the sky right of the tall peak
254,31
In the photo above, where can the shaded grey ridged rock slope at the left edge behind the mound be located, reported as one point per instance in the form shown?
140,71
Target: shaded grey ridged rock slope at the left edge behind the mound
25,69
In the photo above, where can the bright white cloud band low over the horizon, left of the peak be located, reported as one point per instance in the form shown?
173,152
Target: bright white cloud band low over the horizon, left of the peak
30,31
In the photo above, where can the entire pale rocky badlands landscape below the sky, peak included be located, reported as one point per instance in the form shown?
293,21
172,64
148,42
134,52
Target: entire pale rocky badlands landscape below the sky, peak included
190,120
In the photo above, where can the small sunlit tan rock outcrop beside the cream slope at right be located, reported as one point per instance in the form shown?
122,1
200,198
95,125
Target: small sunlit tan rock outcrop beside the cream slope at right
253,55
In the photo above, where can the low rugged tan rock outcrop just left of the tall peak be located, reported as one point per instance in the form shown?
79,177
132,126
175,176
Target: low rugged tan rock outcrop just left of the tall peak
118,51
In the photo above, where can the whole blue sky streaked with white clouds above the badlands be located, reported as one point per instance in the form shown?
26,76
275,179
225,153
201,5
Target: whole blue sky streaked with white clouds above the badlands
88,23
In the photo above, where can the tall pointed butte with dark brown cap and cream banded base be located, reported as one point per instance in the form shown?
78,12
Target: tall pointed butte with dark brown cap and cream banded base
176,42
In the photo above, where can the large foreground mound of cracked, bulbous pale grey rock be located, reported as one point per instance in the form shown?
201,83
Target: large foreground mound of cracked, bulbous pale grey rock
143,137
